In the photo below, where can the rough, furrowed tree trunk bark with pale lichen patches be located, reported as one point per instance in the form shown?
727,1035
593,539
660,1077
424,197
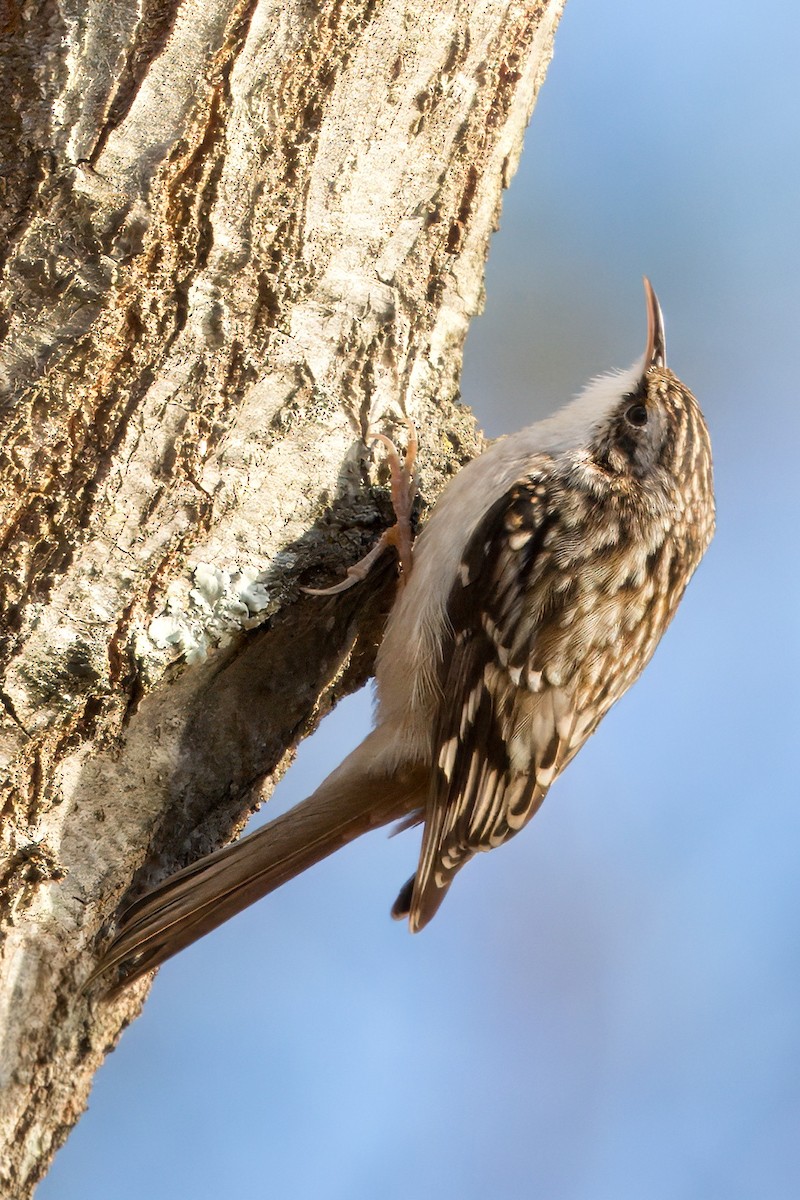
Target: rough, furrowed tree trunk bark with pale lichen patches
236,233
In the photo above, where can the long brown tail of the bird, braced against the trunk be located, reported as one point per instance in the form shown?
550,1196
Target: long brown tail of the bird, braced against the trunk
194,902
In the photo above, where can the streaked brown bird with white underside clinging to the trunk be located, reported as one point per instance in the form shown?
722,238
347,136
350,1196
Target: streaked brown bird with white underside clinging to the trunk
542,585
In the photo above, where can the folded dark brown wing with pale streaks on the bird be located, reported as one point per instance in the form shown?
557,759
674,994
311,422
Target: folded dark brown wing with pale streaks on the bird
504,731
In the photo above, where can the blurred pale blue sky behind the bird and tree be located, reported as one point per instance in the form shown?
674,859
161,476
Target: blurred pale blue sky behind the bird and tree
607,1009
